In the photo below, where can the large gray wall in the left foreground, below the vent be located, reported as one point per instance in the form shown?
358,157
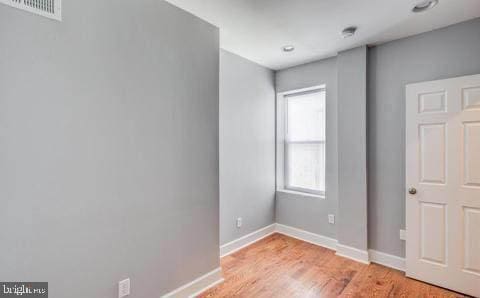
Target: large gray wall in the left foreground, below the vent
108,148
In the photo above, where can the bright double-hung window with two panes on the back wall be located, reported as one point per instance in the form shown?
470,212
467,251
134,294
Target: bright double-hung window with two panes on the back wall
305,141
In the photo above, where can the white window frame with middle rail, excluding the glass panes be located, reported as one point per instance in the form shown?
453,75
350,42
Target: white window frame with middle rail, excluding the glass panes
283,140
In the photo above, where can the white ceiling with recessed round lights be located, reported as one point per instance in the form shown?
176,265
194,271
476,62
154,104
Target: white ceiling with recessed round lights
258,29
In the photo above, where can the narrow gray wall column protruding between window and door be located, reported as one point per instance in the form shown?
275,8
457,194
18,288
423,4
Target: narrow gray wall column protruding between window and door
352,147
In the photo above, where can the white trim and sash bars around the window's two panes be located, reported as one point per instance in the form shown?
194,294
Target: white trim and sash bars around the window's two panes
286,142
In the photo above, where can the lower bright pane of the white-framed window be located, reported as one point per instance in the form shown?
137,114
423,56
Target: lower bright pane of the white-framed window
306,166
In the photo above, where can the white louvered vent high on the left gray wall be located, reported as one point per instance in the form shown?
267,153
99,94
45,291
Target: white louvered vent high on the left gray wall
48,8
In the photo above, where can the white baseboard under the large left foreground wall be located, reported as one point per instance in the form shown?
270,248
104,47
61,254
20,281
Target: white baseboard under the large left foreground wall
197,286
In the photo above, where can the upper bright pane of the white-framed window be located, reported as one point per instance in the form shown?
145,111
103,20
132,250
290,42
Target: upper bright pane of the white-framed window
306,117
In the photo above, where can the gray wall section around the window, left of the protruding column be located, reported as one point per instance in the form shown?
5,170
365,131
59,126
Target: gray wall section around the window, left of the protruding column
307,213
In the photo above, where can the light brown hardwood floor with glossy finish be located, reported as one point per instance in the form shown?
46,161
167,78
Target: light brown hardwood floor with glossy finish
280,266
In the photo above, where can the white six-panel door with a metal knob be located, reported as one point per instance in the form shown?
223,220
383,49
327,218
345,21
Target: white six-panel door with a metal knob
443,181
